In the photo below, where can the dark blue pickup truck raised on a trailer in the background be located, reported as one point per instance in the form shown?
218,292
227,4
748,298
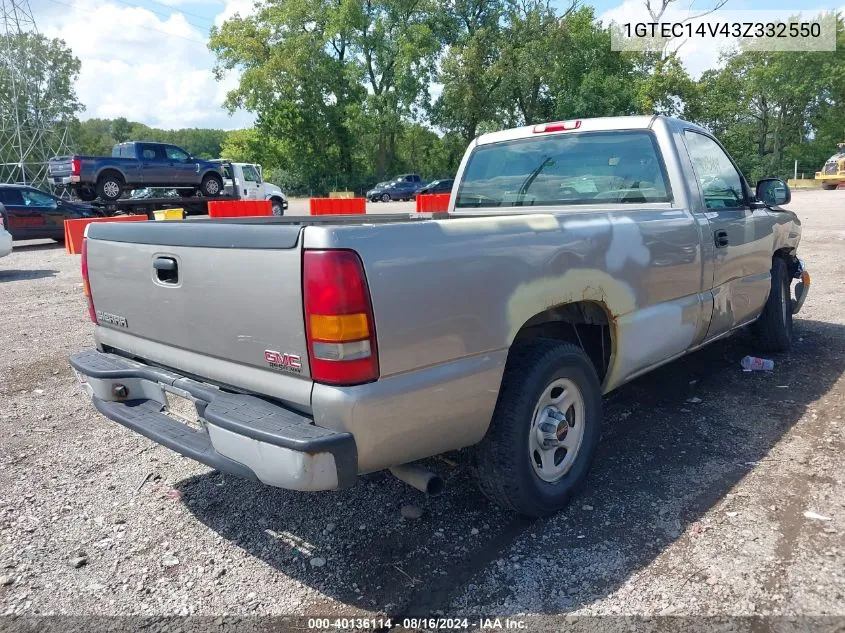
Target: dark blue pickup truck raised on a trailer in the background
134,165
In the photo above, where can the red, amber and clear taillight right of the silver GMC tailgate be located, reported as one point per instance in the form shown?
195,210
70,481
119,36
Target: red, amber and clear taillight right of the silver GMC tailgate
338,318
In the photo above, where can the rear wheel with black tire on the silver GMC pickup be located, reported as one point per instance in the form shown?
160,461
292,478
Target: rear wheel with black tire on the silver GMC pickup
508,462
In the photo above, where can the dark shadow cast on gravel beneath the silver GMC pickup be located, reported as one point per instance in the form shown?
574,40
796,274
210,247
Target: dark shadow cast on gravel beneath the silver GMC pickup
662,463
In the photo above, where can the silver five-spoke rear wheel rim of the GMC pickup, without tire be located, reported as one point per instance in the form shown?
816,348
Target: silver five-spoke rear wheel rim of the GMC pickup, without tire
557,429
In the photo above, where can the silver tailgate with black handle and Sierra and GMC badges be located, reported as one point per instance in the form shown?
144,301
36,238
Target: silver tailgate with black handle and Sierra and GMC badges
227,292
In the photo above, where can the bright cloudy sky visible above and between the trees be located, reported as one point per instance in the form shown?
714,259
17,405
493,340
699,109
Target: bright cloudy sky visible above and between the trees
147,60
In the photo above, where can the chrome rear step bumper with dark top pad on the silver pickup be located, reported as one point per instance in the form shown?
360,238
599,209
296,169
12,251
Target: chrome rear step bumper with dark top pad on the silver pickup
239,434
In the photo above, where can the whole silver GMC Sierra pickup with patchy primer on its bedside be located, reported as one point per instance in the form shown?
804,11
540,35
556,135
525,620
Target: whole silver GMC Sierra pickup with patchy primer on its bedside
575,256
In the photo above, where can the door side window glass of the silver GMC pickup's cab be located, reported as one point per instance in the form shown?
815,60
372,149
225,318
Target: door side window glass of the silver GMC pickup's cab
720,182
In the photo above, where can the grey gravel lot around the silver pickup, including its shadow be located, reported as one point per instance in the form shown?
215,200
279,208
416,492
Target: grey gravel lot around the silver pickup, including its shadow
696,504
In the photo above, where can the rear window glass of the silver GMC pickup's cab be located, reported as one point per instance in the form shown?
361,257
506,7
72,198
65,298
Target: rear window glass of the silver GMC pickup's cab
582,168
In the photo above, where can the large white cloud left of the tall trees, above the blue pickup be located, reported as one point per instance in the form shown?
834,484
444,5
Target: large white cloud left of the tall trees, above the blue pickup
143,66
